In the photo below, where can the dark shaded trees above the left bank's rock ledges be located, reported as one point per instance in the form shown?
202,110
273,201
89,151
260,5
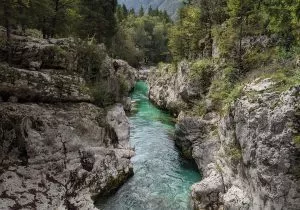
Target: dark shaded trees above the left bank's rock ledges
84,18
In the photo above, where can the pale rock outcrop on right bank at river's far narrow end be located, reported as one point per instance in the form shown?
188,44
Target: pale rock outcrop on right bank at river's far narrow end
172,90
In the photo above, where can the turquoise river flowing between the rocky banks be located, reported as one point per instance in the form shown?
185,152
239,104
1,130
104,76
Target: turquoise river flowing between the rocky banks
162,178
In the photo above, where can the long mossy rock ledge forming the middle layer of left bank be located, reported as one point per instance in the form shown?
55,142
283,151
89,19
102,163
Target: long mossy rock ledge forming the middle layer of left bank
42,86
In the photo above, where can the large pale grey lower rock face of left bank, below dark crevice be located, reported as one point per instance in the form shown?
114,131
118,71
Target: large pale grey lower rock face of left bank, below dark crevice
59,156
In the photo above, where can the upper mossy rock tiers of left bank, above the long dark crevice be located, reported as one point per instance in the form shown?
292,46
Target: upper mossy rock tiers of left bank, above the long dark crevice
59,70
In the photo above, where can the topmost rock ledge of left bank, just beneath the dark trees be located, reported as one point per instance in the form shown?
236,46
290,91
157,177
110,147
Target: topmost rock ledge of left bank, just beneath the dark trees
32,53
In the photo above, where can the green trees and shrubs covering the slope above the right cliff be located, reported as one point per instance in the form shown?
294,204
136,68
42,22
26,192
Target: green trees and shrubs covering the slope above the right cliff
230,42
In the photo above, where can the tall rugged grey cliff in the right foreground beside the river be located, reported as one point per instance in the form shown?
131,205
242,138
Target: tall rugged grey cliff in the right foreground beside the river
249,157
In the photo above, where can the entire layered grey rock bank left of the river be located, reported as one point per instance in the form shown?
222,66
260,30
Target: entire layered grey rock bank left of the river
57,148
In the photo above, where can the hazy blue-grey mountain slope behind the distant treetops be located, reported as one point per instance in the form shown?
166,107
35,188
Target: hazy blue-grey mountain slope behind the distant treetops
171,6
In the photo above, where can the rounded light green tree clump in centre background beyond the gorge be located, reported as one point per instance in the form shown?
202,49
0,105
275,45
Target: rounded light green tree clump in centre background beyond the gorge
142,39
